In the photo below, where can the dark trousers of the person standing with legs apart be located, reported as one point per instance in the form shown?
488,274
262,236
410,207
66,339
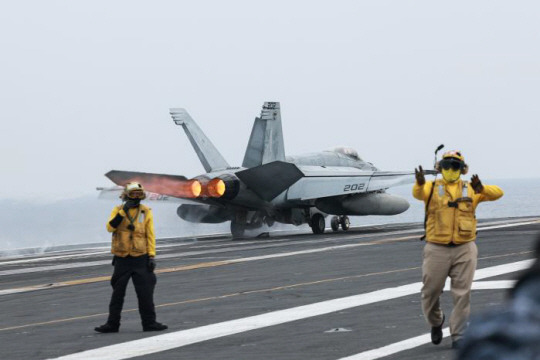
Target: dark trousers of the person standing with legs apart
144,281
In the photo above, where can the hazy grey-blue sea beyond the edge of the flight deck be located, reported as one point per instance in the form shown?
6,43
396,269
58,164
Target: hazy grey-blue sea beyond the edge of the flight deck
43,225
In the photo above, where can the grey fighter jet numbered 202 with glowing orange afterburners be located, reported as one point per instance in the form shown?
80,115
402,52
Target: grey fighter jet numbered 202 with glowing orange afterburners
270,187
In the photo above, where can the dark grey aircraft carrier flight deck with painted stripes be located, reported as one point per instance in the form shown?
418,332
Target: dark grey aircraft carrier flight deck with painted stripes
344,295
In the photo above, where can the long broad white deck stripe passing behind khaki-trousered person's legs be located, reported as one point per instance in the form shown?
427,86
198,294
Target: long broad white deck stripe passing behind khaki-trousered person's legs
181,338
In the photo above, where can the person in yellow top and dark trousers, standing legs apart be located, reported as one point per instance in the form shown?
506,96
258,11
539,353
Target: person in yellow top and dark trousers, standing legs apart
134,249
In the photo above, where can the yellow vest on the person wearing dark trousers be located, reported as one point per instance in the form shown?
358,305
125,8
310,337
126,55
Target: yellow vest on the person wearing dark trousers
133,243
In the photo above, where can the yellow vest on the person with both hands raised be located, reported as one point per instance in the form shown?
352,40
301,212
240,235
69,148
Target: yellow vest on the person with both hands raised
451,220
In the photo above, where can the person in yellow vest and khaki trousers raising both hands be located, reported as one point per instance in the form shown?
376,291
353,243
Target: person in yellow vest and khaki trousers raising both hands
450,250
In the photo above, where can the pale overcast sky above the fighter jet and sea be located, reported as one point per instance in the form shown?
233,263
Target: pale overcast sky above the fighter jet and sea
85,86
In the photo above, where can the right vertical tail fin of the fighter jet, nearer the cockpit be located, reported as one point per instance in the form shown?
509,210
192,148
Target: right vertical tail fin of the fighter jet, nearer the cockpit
266,140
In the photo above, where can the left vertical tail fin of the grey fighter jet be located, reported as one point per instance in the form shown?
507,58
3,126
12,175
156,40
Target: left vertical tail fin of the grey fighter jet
210,157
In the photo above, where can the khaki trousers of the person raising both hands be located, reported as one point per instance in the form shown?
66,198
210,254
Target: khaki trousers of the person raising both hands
458,263
